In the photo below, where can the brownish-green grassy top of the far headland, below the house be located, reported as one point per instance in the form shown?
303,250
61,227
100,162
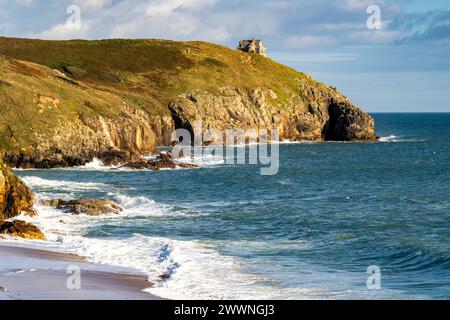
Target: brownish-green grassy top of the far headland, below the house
154,72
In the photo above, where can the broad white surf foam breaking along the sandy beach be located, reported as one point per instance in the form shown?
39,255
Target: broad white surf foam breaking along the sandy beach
177,269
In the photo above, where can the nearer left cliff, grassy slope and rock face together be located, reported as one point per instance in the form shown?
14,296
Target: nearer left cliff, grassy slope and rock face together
49,120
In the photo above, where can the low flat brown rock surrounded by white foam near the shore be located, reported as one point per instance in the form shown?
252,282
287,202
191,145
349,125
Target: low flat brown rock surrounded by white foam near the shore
91,207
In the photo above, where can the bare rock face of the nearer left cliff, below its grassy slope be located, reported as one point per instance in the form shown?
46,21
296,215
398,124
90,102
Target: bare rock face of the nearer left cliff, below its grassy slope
112,141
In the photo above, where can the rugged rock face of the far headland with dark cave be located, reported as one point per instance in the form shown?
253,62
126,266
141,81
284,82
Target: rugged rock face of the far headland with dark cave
314,114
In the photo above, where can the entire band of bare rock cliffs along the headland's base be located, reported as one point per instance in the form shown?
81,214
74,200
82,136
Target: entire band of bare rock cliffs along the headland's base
315,113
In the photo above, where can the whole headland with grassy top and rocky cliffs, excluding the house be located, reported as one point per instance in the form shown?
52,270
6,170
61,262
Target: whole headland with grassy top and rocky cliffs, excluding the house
64,102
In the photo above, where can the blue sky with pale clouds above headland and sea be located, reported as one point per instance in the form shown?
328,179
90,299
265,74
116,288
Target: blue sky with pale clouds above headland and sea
385,55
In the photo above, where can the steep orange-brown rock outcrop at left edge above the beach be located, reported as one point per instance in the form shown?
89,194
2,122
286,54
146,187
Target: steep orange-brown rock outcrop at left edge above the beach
15,196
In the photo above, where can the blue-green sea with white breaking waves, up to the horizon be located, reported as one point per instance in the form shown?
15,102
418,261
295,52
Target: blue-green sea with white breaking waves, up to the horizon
310,232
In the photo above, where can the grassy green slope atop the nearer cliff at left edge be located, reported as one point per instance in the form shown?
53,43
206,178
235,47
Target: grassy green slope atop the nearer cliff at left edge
35,99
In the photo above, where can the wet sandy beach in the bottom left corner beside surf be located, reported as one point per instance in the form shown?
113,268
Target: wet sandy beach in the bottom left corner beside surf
33,274
